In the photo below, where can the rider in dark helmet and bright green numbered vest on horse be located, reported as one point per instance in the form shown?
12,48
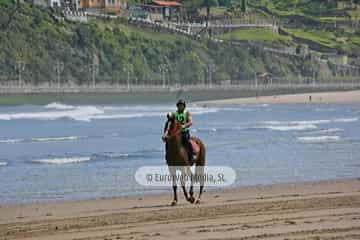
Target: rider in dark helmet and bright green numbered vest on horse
185,118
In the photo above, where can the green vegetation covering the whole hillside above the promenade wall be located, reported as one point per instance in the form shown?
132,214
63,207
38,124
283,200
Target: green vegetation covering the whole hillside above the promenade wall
40,39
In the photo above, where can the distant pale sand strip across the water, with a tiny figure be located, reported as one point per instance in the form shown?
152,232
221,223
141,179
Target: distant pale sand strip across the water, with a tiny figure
341,97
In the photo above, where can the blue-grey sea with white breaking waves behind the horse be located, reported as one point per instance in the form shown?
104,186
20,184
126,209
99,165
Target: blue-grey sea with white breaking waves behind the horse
58,152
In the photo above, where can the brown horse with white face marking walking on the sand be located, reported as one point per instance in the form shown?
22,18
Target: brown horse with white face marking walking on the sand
177,159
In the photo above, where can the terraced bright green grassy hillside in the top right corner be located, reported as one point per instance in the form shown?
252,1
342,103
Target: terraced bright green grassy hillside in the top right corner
325,26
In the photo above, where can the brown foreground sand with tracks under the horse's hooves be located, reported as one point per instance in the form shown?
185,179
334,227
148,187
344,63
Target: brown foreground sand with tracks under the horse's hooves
313,210
